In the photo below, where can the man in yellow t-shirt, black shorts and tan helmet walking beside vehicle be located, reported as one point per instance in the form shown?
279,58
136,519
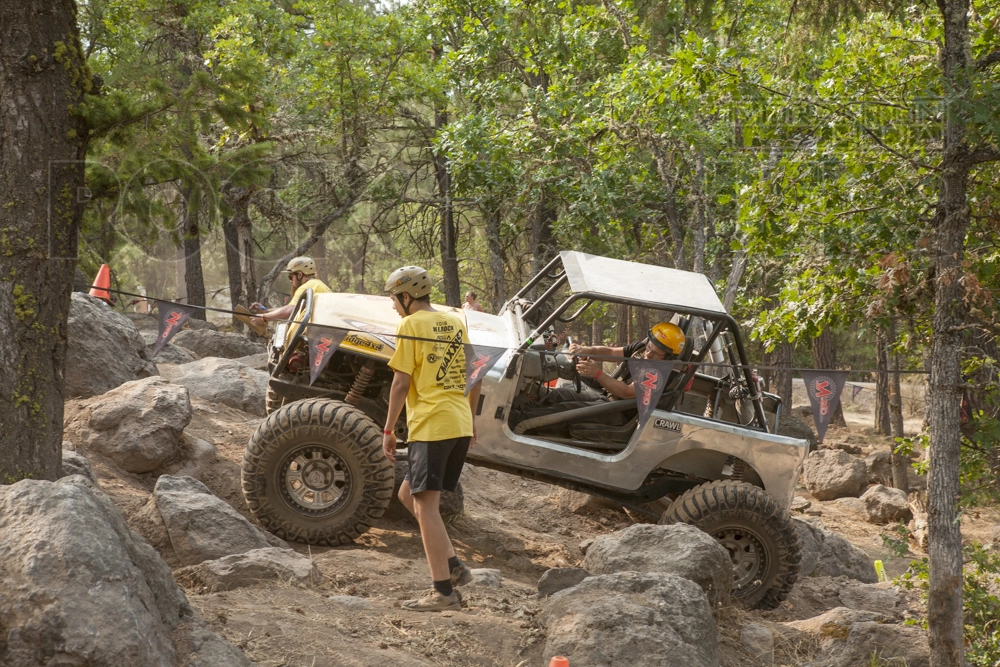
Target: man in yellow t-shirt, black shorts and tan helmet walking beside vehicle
430,379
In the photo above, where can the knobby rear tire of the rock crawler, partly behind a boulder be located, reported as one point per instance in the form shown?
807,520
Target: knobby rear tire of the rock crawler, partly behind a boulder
757,532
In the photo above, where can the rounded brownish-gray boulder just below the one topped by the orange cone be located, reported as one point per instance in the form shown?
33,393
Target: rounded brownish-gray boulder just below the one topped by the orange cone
137,425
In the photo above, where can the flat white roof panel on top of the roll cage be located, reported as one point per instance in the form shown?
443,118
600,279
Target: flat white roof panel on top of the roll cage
632,280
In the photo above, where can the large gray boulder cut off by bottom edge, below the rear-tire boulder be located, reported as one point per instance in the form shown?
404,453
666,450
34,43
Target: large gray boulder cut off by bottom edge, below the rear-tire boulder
632,618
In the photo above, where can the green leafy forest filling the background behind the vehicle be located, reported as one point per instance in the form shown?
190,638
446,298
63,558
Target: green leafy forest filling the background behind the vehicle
829,165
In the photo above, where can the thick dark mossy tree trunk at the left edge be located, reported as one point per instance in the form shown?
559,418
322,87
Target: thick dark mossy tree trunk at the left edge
42,147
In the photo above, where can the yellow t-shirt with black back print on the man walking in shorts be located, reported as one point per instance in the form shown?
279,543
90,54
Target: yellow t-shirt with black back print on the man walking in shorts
436,405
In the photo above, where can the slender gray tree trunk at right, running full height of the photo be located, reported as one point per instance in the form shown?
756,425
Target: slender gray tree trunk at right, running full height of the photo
951,222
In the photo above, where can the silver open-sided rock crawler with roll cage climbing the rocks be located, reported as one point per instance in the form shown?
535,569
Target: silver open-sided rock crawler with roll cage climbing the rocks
314,470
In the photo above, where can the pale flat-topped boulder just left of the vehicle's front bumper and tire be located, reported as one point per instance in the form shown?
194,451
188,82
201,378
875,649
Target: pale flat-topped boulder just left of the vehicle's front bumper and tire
224,381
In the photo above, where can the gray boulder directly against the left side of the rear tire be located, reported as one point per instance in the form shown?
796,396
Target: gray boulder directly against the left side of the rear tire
679,549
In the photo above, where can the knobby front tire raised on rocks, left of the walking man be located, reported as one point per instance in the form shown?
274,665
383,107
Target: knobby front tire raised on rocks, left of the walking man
314,472
